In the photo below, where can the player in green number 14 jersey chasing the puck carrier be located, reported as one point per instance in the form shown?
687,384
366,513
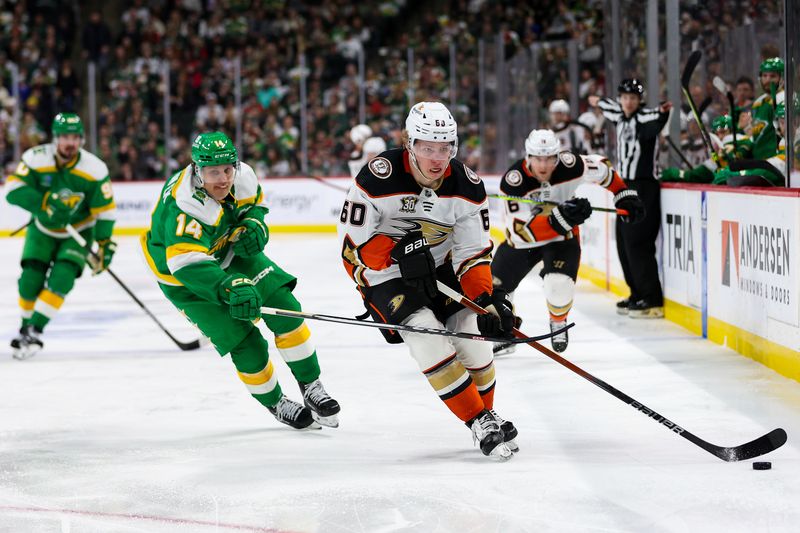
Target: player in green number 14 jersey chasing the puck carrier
206,248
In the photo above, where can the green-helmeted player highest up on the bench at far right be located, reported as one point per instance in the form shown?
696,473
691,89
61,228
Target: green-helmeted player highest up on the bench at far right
765,141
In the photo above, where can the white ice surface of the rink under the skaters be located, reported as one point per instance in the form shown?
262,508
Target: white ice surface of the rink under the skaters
113,429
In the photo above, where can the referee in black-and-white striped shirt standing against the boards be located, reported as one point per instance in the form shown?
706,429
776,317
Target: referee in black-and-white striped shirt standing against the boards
637,152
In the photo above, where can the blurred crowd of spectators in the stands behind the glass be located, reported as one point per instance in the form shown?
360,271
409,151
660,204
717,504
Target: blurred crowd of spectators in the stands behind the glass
202,43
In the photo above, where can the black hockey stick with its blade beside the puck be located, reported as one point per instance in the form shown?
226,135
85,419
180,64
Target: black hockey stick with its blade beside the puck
760,446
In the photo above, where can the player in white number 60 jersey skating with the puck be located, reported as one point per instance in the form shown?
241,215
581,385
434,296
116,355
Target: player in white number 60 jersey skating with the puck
415,215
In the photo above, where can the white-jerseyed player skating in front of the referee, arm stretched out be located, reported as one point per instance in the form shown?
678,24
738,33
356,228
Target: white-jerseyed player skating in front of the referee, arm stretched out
549,232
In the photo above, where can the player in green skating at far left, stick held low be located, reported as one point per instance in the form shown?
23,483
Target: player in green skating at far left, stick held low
59,183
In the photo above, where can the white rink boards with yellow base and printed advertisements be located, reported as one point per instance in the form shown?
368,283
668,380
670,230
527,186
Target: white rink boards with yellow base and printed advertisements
728,257
